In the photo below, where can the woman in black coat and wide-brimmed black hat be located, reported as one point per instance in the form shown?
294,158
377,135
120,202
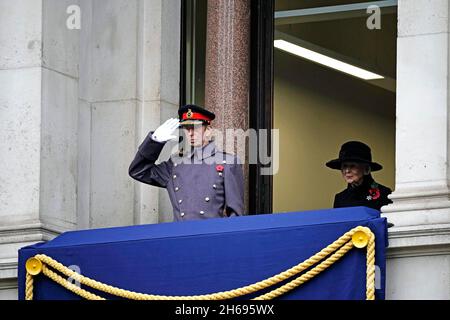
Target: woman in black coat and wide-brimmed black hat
355,163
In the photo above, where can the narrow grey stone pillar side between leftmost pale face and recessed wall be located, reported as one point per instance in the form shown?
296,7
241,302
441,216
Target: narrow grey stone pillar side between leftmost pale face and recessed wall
59,118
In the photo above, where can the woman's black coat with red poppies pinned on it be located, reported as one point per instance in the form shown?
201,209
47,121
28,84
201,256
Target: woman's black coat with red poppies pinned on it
365,195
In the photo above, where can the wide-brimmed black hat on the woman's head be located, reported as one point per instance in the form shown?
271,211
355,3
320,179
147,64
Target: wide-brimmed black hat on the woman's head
354,151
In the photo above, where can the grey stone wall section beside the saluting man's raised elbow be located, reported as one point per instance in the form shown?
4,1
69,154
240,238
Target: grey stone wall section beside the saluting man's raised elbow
129,84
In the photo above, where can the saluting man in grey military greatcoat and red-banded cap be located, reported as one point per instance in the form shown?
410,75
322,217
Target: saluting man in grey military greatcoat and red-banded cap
202,183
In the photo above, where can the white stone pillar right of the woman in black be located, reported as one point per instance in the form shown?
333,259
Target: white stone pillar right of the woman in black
419,253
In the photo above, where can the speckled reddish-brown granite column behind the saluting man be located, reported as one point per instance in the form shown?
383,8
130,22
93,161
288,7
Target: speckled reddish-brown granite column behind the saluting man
228,68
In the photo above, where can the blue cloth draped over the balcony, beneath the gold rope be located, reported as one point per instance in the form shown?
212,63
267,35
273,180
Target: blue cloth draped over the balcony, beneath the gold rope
201,257
